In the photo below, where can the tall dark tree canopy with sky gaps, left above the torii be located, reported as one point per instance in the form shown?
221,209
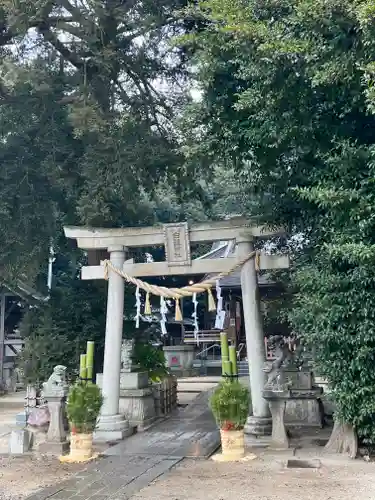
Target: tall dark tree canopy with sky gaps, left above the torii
88,93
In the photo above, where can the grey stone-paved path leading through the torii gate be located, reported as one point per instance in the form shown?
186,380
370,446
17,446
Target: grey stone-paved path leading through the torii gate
134,463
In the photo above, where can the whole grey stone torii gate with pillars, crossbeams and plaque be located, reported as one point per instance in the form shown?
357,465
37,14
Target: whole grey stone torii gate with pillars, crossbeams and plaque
177,238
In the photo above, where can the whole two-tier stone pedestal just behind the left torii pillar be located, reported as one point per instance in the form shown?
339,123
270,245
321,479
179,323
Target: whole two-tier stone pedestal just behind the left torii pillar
136,401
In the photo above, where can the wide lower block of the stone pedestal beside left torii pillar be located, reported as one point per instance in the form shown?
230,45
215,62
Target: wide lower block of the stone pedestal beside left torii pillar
139,407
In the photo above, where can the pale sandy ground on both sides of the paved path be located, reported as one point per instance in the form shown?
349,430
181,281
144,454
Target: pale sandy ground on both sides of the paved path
265,478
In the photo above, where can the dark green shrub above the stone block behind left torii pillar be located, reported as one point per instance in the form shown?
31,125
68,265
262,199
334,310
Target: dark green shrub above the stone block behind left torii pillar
150,359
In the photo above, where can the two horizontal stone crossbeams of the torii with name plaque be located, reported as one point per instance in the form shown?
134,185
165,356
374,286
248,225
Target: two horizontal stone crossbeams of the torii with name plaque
177,239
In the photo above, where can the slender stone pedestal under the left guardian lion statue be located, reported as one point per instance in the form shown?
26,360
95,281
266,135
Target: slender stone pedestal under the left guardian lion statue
56,442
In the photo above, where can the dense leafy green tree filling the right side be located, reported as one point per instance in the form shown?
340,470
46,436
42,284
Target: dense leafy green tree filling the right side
288,100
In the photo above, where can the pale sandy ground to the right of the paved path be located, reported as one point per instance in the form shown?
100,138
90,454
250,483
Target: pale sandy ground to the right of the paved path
265,478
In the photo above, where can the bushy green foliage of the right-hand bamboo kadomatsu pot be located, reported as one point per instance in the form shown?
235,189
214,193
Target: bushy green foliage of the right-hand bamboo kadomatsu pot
230,405
